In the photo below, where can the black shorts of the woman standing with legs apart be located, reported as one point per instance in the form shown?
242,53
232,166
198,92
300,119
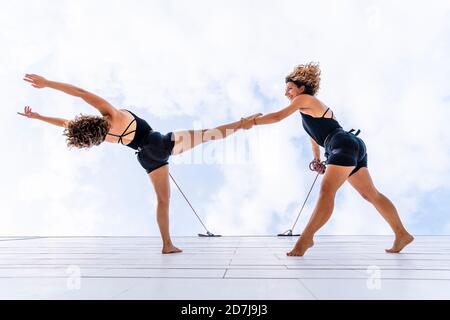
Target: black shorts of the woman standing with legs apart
346,149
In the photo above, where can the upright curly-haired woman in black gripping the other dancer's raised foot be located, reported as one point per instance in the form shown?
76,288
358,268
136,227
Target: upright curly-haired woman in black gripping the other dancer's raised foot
345,153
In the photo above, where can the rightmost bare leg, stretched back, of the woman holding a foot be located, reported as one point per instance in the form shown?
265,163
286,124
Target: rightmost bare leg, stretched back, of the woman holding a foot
363,183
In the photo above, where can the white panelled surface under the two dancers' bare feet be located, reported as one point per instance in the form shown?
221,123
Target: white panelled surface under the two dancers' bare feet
338,267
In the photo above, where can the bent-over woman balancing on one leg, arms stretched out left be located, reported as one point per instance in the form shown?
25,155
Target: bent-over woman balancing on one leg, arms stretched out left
123,126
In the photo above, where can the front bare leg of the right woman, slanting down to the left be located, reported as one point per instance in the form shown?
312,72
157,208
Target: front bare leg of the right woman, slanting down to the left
333,179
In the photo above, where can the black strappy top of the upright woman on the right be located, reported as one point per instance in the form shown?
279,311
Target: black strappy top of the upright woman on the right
319,128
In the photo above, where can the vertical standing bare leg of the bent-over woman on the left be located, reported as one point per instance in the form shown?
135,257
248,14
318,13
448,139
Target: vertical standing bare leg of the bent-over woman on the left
160,181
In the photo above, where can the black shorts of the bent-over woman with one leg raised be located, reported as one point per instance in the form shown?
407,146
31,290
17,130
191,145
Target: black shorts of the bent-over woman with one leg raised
155,150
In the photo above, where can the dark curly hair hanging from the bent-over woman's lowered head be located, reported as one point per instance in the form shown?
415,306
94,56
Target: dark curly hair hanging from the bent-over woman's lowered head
86,131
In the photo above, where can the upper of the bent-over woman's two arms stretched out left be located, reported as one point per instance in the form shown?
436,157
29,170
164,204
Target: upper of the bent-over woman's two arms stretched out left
105,108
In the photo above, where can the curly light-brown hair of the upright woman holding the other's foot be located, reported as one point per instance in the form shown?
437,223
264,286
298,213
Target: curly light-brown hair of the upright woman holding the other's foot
307,75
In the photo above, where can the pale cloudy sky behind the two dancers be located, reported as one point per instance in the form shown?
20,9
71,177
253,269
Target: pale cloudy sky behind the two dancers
195,64
